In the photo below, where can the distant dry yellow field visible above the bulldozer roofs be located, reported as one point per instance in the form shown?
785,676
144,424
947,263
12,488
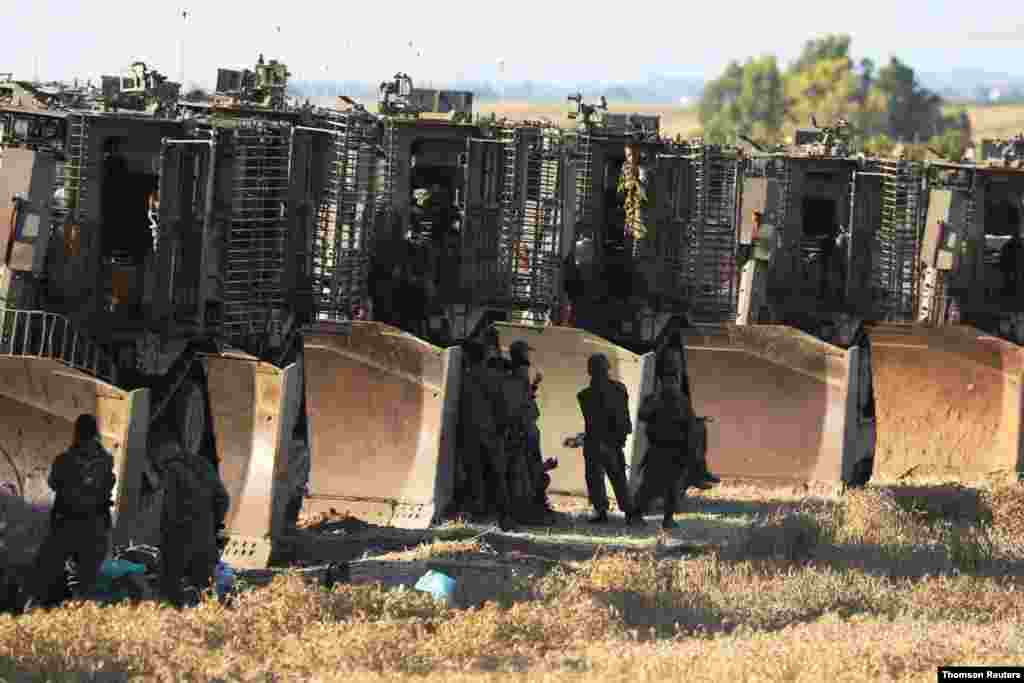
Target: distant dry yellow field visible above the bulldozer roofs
1001,121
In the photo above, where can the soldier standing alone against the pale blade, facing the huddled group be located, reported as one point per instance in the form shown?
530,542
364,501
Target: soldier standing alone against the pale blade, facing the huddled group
606,412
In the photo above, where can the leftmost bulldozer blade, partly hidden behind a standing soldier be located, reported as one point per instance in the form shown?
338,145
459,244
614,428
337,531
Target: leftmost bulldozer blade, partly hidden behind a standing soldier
40,399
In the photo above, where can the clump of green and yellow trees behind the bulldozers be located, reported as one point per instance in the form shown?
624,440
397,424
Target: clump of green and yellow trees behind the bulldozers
885,107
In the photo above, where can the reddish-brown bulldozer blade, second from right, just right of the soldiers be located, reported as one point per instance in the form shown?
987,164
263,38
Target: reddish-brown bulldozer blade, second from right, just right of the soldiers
785,404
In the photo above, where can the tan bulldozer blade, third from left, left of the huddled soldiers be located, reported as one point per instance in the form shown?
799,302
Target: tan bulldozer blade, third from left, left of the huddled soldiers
382,411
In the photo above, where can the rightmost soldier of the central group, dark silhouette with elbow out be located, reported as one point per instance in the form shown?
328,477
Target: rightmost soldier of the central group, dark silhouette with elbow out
669,421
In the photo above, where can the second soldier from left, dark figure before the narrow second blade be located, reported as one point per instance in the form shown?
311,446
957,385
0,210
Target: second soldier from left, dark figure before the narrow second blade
195,507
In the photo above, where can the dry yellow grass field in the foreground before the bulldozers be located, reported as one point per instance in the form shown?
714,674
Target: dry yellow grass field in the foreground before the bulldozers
756,585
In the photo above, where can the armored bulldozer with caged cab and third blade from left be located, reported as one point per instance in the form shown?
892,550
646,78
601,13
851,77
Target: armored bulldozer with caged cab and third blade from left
433,228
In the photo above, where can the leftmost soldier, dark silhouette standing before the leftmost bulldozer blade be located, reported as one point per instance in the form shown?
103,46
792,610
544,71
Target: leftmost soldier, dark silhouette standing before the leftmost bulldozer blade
83,480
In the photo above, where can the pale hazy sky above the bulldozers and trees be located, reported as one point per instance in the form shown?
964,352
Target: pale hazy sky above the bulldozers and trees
565,40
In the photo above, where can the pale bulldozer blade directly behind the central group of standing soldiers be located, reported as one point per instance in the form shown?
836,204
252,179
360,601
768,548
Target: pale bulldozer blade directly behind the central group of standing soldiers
561,355
